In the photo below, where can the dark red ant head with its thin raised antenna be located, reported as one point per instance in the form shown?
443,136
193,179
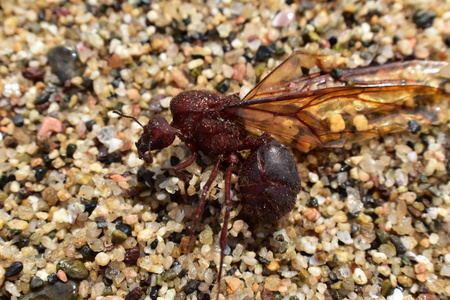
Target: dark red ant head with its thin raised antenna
158,134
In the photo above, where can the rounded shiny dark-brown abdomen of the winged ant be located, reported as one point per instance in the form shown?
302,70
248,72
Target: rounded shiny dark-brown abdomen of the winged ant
269,182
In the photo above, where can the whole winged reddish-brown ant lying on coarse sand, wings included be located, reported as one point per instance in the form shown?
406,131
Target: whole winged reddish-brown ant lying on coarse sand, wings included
298,110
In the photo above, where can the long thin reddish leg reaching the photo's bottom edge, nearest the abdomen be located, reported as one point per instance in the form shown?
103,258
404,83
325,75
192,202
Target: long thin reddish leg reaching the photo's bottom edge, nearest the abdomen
226,218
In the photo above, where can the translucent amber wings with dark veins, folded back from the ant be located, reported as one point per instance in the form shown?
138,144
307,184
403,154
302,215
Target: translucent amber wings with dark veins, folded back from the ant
317,111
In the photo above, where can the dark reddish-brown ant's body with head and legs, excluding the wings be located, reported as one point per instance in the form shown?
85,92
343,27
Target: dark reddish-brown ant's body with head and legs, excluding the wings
268,178
